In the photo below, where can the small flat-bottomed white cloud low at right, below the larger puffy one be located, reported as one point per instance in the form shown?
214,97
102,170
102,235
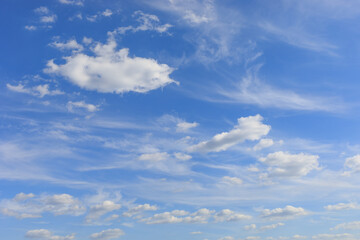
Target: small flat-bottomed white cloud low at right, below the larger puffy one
283,213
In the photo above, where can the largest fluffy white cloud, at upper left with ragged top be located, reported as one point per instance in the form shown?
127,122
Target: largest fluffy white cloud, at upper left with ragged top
113,71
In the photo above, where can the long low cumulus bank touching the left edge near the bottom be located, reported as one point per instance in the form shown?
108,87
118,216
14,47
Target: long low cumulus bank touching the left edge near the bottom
29,206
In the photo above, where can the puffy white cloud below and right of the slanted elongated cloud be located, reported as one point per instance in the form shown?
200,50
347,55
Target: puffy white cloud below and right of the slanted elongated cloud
283,164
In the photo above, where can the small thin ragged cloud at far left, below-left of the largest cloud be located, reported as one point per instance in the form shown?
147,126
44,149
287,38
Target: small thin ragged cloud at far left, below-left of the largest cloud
39,91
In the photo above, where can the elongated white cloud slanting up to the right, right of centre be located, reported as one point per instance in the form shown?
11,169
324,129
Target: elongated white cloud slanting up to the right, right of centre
248,128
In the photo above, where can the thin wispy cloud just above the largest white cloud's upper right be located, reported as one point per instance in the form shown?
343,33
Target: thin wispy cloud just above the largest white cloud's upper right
147,22
